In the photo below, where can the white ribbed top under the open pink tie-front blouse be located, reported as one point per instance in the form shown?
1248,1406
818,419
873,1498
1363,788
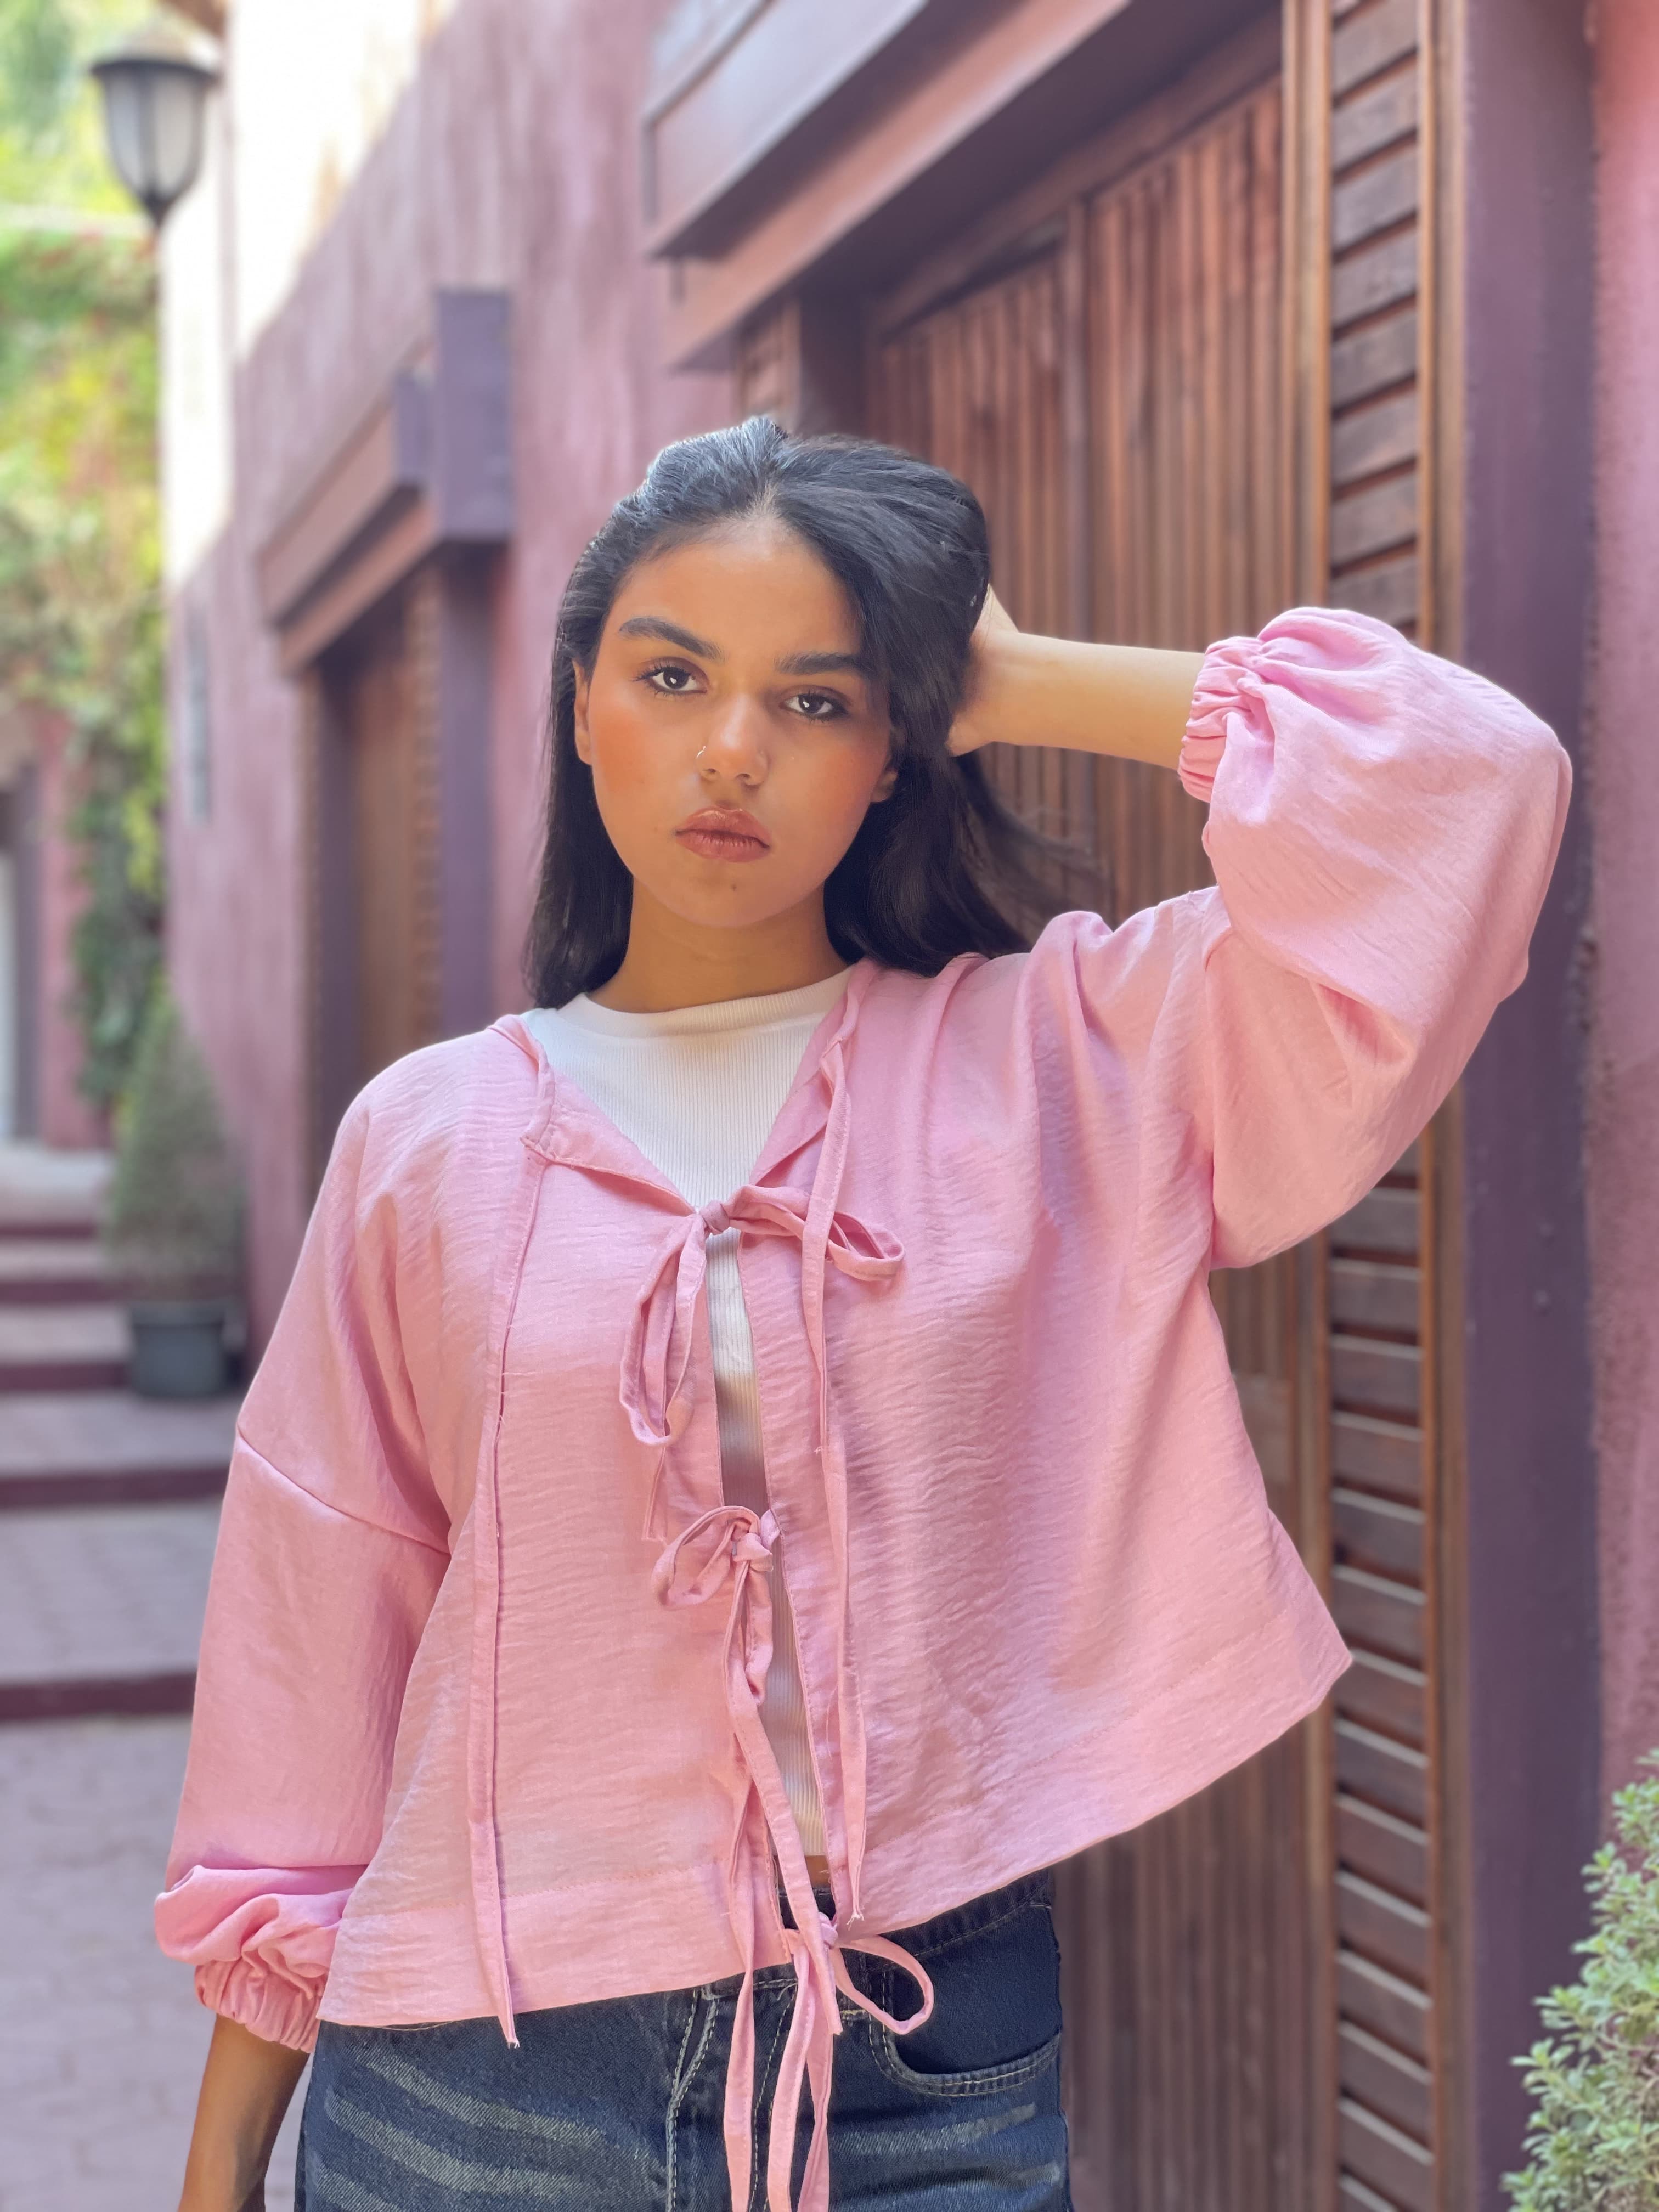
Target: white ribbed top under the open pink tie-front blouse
698,1094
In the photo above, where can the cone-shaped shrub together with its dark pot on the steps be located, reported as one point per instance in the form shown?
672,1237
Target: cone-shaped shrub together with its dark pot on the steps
174,1215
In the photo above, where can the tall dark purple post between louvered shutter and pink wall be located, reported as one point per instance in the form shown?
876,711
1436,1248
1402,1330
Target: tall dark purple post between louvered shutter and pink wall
1516,479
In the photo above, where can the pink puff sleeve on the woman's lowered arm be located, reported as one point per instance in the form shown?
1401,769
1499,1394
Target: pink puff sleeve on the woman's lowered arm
331,1554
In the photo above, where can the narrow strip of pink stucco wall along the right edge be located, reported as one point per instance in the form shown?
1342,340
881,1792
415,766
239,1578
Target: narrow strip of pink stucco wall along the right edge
1625,826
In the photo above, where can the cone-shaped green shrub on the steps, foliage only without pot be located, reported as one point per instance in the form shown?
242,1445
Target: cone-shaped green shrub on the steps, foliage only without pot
174,1215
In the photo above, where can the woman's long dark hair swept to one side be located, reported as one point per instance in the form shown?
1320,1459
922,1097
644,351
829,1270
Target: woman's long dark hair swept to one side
941,866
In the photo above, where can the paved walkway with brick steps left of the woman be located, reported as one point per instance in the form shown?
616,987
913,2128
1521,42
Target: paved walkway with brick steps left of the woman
107,1521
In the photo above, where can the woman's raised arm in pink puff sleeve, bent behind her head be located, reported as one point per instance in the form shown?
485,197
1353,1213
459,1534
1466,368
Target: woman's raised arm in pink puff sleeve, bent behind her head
1384,828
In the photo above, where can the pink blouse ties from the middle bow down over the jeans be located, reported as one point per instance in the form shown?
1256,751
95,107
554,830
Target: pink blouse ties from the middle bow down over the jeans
733,1545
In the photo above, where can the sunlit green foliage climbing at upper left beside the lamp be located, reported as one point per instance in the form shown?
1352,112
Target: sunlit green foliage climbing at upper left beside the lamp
81,578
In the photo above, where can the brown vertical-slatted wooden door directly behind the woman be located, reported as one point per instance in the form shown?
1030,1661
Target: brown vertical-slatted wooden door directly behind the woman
1114,395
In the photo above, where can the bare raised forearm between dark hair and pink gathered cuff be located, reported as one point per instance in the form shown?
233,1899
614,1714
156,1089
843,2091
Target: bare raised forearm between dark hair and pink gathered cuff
1129,702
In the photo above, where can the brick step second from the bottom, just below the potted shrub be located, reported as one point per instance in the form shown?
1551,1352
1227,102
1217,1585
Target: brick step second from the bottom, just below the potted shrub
109,1448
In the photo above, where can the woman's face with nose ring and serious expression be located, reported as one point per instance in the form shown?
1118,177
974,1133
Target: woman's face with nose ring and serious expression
735,742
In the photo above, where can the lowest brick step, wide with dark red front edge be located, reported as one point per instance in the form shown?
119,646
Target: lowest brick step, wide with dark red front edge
101,1607
